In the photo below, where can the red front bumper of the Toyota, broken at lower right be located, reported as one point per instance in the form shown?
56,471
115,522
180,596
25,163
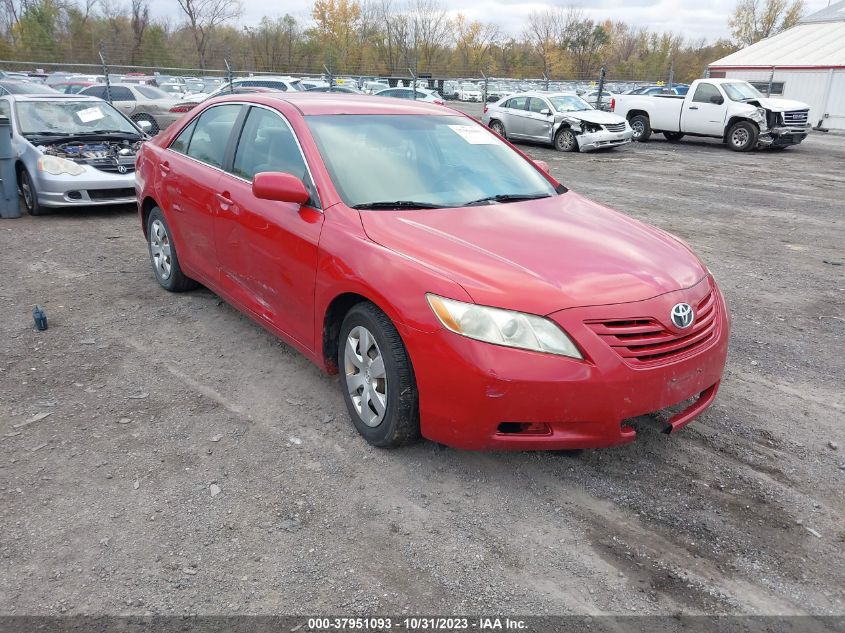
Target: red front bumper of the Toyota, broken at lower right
468,389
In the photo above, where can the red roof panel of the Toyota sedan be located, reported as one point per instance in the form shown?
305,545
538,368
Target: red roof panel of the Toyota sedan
311,103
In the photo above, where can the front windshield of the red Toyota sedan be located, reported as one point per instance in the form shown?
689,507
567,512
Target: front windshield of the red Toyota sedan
424,160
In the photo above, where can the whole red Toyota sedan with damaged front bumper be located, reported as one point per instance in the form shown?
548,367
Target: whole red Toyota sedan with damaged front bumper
461,292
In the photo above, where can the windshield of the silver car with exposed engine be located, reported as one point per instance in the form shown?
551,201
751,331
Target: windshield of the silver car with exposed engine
70,118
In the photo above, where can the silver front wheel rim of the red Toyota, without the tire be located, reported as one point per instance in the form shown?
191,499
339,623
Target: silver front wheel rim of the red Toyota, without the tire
366,378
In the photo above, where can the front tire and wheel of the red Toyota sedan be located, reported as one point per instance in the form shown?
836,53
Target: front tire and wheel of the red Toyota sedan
377,378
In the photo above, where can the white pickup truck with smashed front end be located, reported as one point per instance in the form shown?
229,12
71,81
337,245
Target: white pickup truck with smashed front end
729,109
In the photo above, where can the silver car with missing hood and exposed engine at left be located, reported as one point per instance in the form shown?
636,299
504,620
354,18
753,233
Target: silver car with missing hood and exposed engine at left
71,151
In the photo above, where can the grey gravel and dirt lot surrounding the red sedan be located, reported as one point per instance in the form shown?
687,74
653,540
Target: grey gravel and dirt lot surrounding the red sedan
107,505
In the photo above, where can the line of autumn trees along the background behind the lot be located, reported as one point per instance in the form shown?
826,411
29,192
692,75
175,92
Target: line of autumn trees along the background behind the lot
373,37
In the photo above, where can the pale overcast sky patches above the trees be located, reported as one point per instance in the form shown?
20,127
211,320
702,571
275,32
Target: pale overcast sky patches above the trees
693,18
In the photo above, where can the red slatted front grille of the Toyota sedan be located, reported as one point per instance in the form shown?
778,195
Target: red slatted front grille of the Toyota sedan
644,341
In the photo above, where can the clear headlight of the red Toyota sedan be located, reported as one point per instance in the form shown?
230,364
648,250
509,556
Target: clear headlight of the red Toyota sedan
503,327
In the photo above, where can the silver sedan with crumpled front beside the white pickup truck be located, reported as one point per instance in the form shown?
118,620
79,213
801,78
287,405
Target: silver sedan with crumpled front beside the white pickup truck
563,120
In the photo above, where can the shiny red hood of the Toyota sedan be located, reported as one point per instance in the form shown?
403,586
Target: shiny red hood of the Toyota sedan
540,256
